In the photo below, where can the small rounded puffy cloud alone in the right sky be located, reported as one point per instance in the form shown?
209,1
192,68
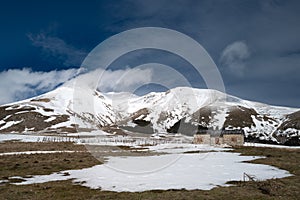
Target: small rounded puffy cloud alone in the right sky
234,56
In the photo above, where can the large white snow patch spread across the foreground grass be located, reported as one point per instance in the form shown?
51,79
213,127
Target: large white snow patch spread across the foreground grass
189,171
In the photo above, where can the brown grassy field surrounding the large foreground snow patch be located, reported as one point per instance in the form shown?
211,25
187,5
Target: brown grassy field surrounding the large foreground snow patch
22,165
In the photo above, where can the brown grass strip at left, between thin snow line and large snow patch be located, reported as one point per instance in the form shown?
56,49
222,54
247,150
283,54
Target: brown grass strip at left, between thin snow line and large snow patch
39,164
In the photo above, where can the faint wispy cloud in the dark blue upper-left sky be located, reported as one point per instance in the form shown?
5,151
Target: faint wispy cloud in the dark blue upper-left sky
57,47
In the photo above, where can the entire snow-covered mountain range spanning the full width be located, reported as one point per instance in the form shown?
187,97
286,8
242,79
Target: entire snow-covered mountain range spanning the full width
179,110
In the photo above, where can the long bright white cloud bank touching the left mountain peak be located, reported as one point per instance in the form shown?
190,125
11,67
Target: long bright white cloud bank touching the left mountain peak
18,84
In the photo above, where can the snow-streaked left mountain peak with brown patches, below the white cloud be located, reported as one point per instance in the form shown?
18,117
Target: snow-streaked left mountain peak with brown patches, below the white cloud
60,109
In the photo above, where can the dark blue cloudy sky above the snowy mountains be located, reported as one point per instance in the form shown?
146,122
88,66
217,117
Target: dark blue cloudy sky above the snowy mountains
255,44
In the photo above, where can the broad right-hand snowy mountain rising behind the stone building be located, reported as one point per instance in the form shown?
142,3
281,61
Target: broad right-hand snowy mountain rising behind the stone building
208,108
